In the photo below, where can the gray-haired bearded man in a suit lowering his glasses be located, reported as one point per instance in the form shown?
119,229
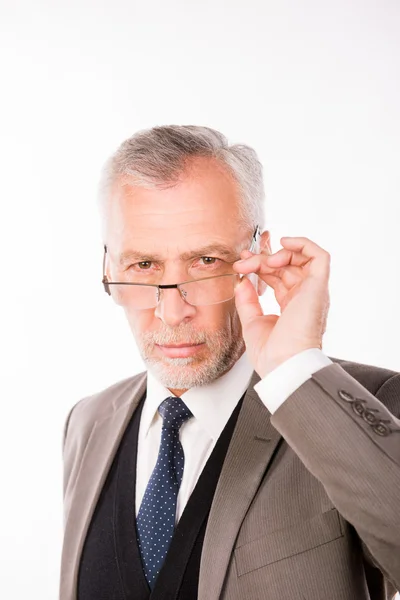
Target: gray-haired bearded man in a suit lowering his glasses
244,463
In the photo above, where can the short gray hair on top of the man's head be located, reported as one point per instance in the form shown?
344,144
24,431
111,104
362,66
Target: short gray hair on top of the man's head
158,156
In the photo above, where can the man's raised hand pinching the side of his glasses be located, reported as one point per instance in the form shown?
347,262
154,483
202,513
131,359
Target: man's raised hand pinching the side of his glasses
299,276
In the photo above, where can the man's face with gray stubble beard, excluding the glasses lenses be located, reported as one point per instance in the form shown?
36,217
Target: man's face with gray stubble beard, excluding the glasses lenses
168,234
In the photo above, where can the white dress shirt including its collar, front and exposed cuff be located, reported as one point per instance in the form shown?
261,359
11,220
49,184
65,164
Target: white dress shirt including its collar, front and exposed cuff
211,406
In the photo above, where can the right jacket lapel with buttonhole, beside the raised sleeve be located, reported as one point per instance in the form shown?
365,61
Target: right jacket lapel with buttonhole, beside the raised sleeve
251,449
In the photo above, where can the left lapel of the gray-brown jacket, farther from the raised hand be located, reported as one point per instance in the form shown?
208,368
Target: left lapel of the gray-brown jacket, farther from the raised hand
100,450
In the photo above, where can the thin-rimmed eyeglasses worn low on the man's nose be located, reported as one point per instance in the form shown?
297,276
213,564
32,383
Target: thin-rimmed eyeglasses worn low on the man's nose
197,292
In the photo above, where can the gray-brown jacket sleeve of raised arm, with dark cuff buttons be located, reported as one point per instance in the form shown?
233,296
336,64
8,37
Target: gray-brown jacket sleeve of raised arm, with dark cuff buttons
350,441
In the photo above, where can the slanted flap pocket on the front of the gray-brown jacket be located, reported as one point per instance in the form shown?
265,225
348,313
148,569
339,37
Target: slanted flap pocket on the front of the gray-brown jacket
287,542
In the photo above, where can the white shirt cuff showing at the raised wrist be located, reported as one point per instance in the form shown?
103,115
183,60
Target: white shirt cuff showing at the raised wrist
280,383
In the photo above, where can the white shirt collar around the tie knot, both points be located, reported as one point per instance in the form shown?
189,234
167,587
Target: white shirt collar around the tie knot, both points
211,404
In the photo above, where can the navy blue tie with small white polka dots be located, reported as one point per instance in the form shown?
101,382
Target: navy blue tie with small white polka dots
156,518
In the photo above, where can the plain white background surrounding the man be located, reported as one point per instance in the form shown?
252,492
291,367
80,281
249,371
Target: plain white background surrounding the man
313,86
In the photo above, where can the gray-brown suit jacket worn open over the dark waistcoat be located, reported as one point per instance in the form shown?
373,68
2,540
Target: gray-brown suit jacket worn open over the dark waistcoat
307,506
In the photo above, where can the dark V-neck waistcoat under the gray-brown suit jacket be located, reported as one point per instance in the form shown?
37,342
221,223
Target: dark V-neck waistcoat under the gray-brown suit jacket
111,566
